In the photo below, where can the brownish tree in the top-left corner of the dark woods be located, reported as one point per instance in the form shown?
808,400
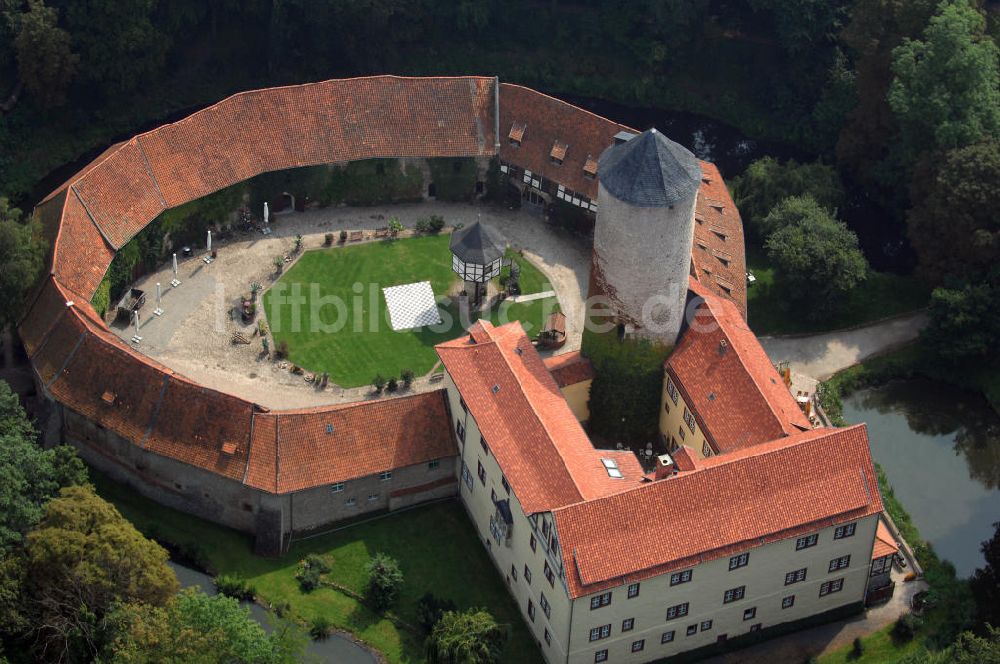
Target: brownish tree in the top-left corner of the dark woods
45,61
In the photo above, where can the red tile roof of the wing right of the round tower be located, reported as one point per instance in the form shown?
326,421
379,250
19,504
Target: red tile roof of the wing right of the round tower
728,381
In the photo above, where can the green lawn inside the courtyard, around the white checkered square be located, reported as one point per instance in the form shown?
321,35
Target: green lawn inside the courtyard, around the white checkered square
359,342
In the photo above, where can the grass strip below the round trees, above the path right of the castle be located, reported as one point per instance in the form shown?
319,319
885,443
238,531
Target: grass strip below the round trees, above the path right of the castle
882,294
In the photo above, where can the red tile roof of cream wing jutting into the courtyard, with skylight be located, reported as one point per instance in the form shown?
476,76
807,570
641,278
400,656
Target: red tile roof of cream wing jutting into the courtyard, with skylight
527,424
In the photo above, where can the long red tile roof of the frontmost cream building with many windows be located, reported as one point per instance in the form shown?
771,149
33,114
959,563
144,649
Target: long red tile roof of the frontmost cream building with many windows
778,490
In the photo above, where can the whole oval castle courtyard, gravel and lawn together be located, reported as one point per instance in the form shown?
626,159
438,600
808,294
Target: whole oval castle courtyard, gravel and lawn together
194,336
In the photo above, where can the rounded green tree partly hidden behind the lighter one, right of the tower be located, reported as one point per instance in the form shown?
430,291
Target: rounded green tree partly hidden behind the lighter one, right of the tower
767,181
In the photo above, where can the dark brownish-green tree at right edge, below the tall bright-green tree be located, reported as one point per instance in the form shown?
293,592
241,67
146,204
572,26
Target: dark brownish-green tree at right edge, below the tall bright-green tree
953,224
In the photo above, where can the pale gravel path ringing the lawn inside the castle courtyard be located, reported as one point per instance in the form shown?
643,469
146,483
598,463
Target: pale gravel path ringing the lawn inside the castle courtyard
193,337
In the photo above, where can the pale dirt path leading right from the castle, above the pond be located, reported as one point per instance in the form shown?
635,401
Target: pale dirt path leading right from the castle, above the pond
822,355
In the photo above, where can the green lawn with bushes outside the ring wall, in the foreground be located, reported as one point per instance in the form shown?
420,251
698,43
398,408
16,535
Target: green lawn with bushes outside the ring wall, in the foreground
436,546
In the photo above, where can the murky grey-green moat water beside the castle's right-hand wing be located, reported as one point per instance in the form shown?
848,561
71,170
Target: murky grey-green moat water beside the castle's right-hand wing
940,448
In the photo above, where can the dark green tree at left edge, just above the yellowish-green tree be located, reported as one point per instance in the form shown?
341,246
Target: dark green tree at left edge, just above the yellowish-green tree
29,475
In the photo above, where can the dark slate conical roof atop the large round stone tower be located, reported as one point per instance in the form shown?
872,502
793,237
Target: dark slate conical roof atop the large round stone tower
649,171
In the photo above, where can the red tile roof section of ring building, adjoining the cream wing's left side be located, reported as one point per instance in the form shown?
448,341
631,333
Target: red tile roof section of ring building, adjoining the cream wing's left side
300,449
